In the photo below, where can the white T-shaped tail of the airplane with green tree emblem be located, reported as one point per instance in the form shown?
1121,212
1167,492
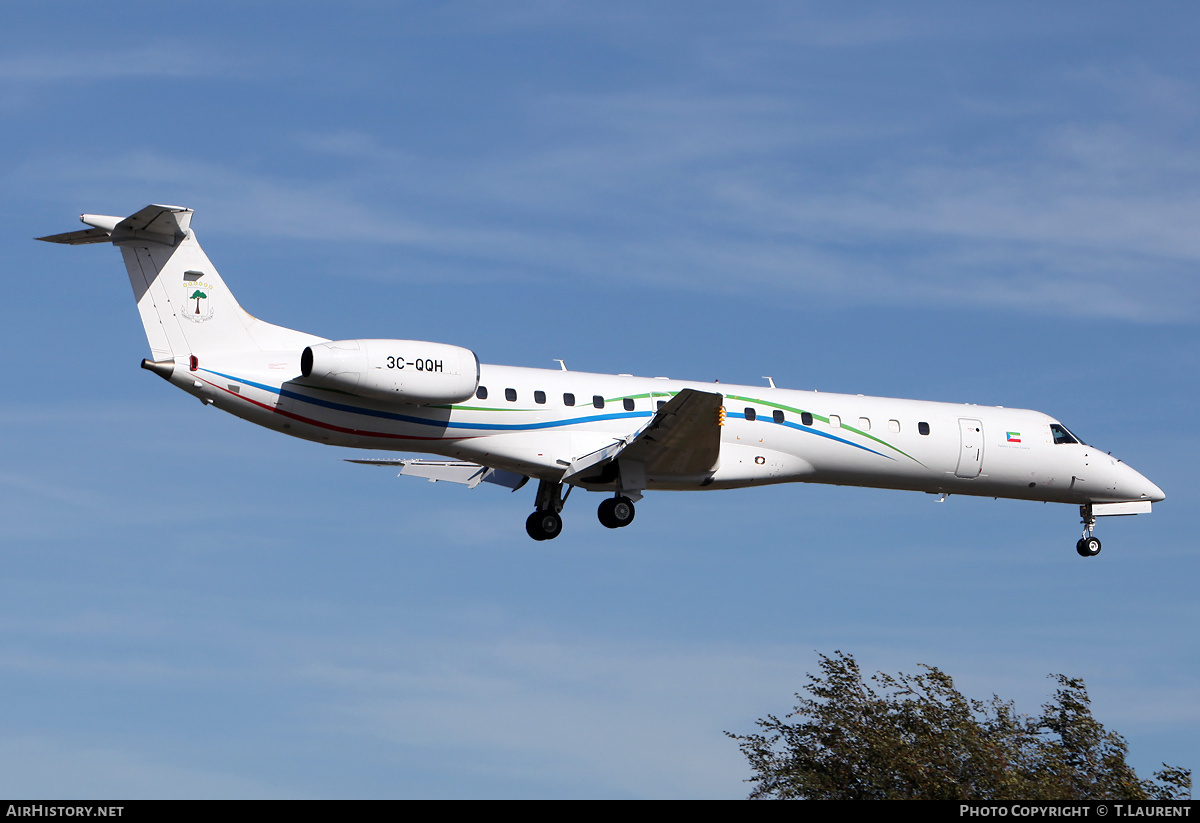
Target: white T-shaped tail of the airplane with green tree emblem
185,307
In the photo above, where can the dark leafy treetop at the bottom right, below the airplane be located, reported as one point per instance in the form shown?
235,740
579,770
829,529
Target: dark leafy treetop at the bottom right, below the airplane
917,737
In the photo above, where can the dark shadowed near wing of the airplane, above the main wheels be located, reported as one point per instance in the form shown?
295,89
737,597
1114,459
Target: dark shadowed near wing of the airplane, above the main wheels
683,440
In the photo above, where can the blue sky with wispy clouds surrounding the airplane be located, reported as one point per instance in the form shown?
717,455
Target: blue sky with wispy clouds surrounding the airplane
944,201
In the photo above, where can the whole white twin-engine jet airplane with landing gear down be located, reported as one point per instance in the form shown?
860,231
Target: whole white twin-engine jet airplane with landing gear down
613,434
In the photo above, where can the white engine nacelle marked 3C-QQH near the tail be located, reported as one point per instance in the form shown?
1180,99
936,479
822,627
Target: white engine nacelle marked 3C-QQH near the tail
409,371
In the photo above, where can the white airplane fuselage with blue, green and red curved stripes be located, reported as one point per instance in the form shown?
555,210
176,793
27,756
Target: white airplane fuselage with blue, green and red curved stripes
538,422
